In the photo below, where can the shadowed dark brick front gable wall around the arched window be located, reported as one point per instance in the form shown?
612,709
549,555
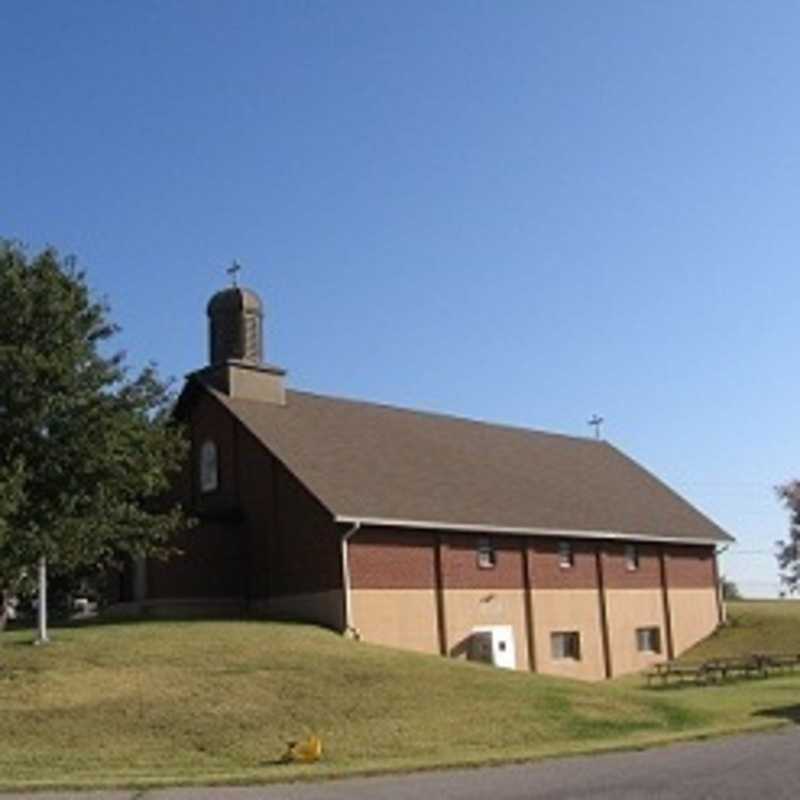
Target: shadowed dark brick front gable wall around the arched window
260,534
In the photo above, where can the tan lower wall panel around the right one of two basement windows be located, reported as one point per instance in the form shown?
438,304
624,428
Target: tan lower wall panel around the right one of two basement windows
627,610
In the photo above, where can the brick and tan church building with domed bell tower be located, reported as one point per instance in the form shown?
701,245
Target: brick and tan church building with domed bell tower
530,550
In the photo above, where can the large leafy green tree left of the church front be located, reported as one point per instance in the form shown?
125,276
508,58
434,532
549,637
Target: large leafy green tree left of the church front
87,451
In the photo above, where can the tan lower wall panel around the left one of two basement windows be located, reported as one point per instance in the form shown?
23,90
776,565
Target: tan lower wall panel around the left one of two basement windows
576,610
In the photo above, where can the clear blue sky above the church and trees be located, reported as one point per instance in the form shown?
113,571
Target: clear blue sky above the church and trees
523,212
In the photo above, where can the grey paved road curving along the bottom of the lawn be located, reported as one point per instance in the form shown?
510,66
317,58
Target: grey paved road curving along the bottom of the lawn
756,767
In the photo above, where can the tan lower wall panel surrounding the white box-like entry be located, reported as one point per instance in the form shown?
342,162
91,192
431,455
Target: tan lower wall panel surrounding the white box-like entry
466,609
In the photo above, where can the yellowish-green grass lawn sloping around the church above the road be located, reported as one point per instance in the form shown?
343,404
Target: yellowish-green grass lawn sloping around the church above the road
150,703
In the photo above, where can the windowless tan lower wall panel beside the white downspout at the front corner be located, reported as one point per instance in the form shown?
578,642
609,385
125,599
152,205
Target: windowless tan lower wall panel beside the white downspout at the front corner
404,618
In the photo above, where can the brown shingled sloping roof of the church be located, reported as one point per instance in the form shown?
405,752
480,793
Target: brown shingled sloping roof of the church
383,465
